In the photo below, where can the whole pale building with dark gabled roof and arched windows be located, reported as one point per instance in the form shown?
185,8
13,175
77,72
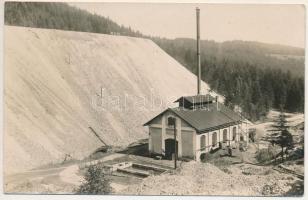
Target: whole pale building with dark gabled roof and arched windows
201,126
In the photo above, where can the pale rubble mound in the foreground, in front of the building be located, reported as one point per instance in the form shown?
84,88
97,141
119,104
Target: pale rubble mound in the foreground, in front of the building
207,179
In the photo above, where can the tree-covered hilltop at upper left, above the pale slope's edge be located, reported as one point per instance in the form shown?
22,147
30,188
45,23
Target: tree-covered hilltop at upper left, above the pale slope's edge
61,16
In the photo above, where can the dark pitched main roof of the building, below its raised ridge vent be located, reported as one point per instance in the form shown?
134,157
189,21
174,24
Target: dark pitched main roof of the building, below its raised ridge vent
206,119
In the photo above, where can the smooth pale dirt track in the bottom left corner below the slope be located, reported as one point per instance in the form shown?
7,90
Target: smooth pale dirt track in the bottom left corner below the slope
60,179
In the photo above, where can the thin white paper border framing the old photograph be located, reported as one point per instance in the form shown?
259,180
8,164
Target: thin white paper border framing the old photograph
114,197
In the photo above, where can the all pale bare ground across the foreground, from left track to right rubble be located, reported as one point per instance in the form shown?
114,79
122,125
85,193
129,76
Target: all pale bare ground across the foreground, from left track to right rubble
220,174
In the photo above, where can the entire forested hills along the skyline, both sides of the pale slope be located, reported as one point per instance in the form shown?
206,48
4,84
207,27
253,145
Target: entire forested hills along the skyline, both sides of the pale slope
254,75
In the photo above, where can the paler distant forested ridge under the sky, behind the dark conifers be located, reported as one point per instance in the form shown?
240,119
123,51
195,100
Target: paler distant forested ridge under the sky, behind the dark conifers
263,55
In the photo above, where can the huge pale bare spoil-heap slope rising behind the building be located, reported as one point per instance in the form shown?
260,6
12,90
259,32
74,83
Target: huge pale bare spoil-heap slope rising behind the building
53,77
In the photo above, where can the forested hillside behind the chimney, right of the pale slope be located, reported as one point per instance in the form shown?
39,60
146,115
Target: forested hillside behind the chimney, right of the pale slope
245,74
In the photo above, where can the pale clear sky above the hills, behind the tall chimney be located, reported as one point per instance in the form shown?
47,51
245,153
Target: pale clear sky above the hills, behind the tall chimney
277,24
